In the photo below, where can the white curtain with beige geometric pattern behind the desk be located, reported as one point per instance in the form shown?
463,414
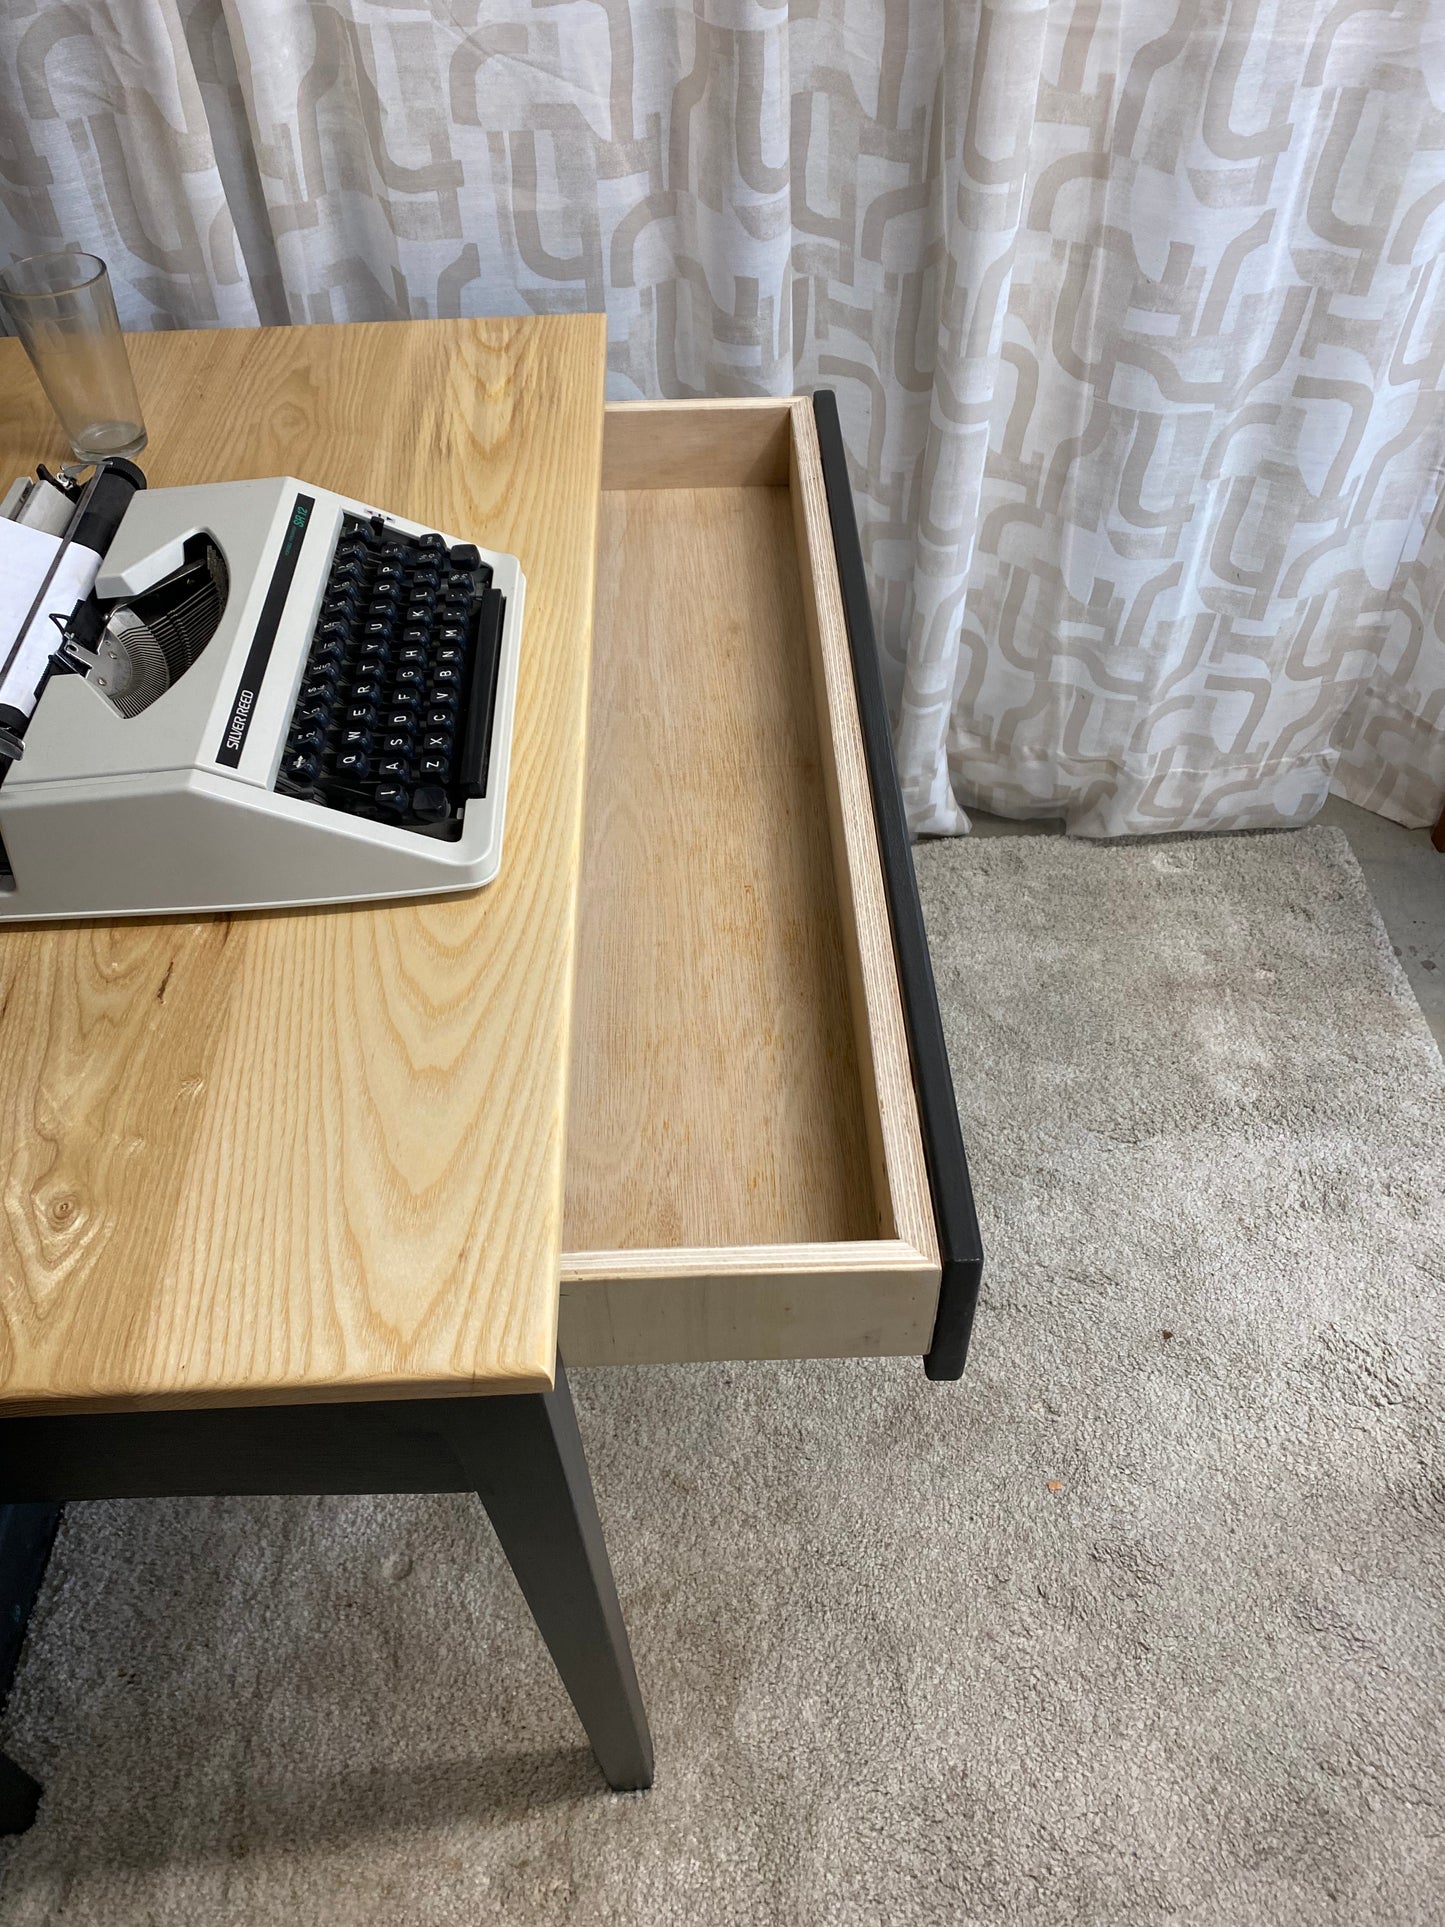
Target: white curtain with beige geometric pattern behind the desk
1136,311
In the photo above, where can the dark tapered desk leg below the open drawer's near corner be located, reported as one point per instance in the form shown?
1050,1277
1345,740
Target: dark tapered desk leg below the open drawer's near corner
525,1460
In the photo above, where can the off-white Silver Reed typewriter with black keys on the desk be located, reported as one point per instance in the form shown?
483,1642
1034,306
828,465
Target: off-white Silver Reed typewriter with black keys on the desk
244,695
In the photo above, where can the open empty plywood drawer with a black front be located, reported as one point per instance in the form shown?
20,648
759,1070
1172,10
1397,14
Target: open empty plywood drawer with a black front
754,1167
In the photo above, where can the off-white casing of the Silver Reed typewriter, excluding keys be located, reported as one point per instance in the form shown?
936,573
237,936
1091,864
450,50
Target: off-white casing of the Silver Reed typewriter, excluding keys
176,808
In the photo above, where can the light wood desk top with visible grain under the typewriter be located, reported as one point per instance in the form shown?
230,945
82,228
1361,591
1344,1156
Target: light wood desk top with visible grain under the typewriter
319,1155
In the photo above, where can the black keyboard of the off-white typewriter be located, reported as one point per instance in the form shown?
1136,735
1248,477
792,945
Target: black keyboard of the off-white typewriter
394,718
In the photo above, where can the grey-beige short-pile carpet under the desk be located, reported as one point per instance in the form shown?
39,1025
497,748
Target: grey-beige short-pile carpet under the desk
1142,1623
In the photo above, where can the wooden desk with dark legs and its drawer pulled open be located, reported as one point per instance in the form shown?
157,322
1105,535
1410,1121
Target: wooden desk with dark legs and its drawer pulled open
286,1192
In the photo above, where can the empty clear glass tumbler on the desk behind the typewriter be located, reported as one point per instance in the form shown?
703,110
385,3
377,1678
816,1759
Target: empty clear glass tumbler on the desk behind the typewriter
63,309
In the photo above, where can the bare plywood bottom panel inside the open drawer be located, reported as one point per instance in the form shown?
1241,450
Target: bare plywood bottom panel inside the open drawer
716,1094
